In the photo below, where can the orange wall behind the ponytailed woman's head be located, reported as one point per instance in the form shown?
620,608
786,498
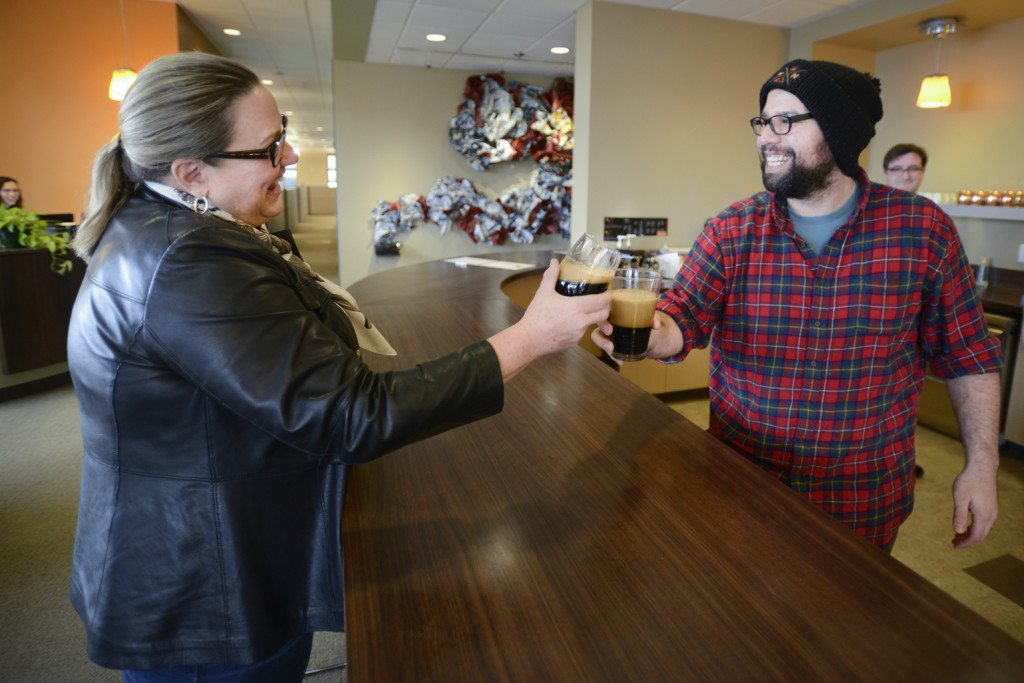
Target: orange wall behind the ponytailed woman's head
58,57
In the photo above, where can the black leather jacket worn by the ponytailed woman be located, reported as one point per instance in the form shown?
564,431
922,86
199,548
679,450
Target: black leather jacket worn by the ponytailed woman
222,402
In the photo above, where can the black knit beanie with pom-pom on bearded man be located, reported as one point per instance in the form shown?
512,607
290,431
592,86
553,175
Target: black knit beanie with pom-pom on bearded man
845,103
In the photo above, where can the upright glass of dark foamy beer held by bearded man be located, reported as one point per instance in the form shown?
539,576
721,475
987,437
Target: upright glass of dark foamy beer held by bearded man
634,294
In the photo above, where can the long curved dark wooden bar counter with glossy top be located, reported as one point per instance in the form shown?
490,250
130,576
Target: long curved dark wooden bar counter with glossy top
589,533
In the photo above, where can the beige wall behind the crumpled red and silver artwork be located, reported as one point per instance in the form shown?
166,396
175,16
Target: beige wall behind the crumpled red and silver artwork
393,140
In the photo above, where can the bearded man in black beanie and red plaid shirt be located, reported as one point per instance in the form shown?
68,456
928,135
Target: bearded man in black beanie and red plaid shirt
823,300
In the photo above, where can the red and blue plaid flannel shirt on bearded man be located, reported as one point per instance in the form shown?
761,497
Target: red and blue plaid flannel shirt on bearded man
818,362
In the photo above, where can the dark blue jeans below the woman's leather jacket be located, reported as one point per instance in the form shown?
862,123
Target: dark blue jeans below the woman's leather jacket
288,664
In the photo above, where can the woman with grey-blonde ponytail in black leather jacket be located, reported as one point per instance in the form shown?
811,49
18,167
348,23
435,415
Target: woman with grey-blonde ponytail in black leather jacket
224,396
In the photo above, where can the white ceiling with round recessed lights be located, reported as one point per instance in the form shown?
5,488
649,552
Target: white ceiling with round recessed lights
290,41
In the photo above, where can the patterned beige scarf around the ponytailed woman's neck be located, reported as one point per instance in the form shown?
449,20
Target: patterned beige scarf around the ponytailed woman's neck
369,336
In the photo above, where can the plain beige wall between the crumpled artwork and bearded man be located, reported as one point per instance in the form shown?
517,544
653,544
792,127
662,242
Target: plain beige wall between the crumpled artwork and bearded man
667,133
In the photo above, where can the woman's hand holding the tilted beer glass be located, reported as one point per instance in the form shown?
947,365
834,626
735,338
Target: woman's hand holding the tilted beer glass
552,323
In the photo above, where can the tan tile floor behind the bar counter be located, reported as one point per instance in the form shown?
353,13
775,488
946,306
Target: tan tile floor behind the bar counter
924,543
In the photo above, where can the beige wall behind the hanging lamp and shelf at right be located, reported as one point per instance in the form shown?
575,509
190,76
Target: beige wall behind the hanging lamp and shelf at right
977,143
